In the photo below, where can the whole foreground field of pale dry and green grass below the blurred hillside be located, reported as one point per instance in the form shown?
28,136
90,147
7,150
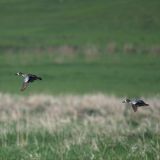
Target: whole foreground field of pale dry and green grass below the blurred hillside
91,126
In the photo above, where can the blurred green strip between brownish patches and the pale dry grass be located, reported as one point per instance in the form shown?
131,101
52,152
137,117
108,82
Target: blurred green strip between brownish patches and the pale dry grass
119,74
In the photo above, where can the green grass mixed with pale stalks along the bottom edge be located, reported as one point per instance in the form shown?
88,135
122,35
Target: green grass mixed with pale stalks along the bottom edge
46,146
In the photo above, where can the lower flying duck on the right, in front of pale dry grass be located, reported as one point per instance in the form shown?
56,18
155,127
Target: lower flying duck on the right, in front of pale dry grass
135,103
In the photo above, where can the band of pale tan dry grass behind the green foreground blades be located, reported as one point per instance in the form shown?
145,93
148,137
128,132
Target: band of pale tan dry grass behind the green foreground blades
94,110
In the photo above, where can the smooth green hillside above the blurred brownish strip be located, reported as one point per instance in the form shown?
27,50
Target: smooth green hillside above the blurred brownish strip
43,23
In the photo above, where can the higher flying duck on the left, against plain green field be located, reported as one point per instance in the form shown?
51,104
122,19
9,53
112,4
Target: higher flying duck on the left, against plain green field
27,78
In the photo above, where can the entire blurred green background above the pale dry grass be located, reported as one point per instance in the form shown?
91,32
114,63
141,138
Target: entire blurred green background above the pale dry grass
81,46
